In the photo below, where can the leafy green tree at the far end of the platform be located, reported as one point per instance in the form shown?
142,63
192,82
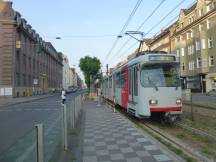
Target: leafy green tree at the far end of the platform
90,67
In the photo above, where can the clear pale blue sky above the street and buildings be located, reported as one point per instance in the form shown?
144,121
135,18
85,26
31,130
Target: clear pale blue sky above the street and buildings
90,27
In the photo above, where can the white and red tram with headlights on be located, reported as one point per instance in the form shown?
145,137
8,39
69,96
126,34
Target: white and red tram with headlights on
146,85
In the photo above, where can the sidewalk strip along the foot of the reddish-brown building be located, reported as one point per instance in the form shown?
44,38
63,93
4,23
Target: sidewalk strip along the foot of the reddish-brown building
12,101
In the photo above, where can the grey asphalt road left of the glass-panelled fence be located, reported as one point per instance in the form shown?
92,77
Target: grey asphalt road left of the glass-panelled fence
19,119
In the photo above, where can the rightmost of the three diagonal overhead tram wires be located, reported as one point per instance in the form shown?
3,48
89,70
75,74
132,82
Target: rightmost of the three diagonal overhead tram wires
154,26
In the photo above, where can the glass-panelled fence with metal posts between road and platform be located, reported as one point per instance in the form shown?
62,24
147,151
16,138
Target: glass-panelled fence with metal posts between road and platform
48,138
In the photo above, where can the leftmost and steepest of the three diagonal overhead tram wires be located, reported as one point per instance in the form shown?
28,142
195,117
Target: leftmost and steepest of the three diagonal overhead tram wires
123,28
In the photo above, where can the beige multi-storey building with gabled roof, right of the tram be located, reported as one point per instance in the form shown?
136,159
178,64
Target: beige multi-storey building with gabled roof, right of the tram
194,42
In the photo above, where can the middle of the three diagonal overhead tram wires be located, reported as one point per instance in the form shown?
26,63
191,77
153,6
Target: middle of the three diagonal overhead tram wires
143,23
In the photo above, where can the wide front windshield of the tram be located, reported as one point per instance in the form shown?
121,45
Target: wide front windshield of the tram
161,75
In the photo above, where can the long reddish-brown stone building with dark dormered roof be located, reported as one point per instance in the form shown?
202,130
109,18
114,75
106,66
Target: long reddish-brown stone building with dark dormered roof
28,64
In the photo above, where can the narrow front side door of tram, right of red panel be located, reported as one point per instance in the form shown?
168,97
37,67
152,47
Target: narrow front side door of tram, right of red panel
133,85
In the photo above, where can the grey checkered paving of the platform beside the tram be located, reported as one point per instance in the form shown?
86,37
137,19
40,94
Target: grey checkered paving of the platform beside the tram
109,136
